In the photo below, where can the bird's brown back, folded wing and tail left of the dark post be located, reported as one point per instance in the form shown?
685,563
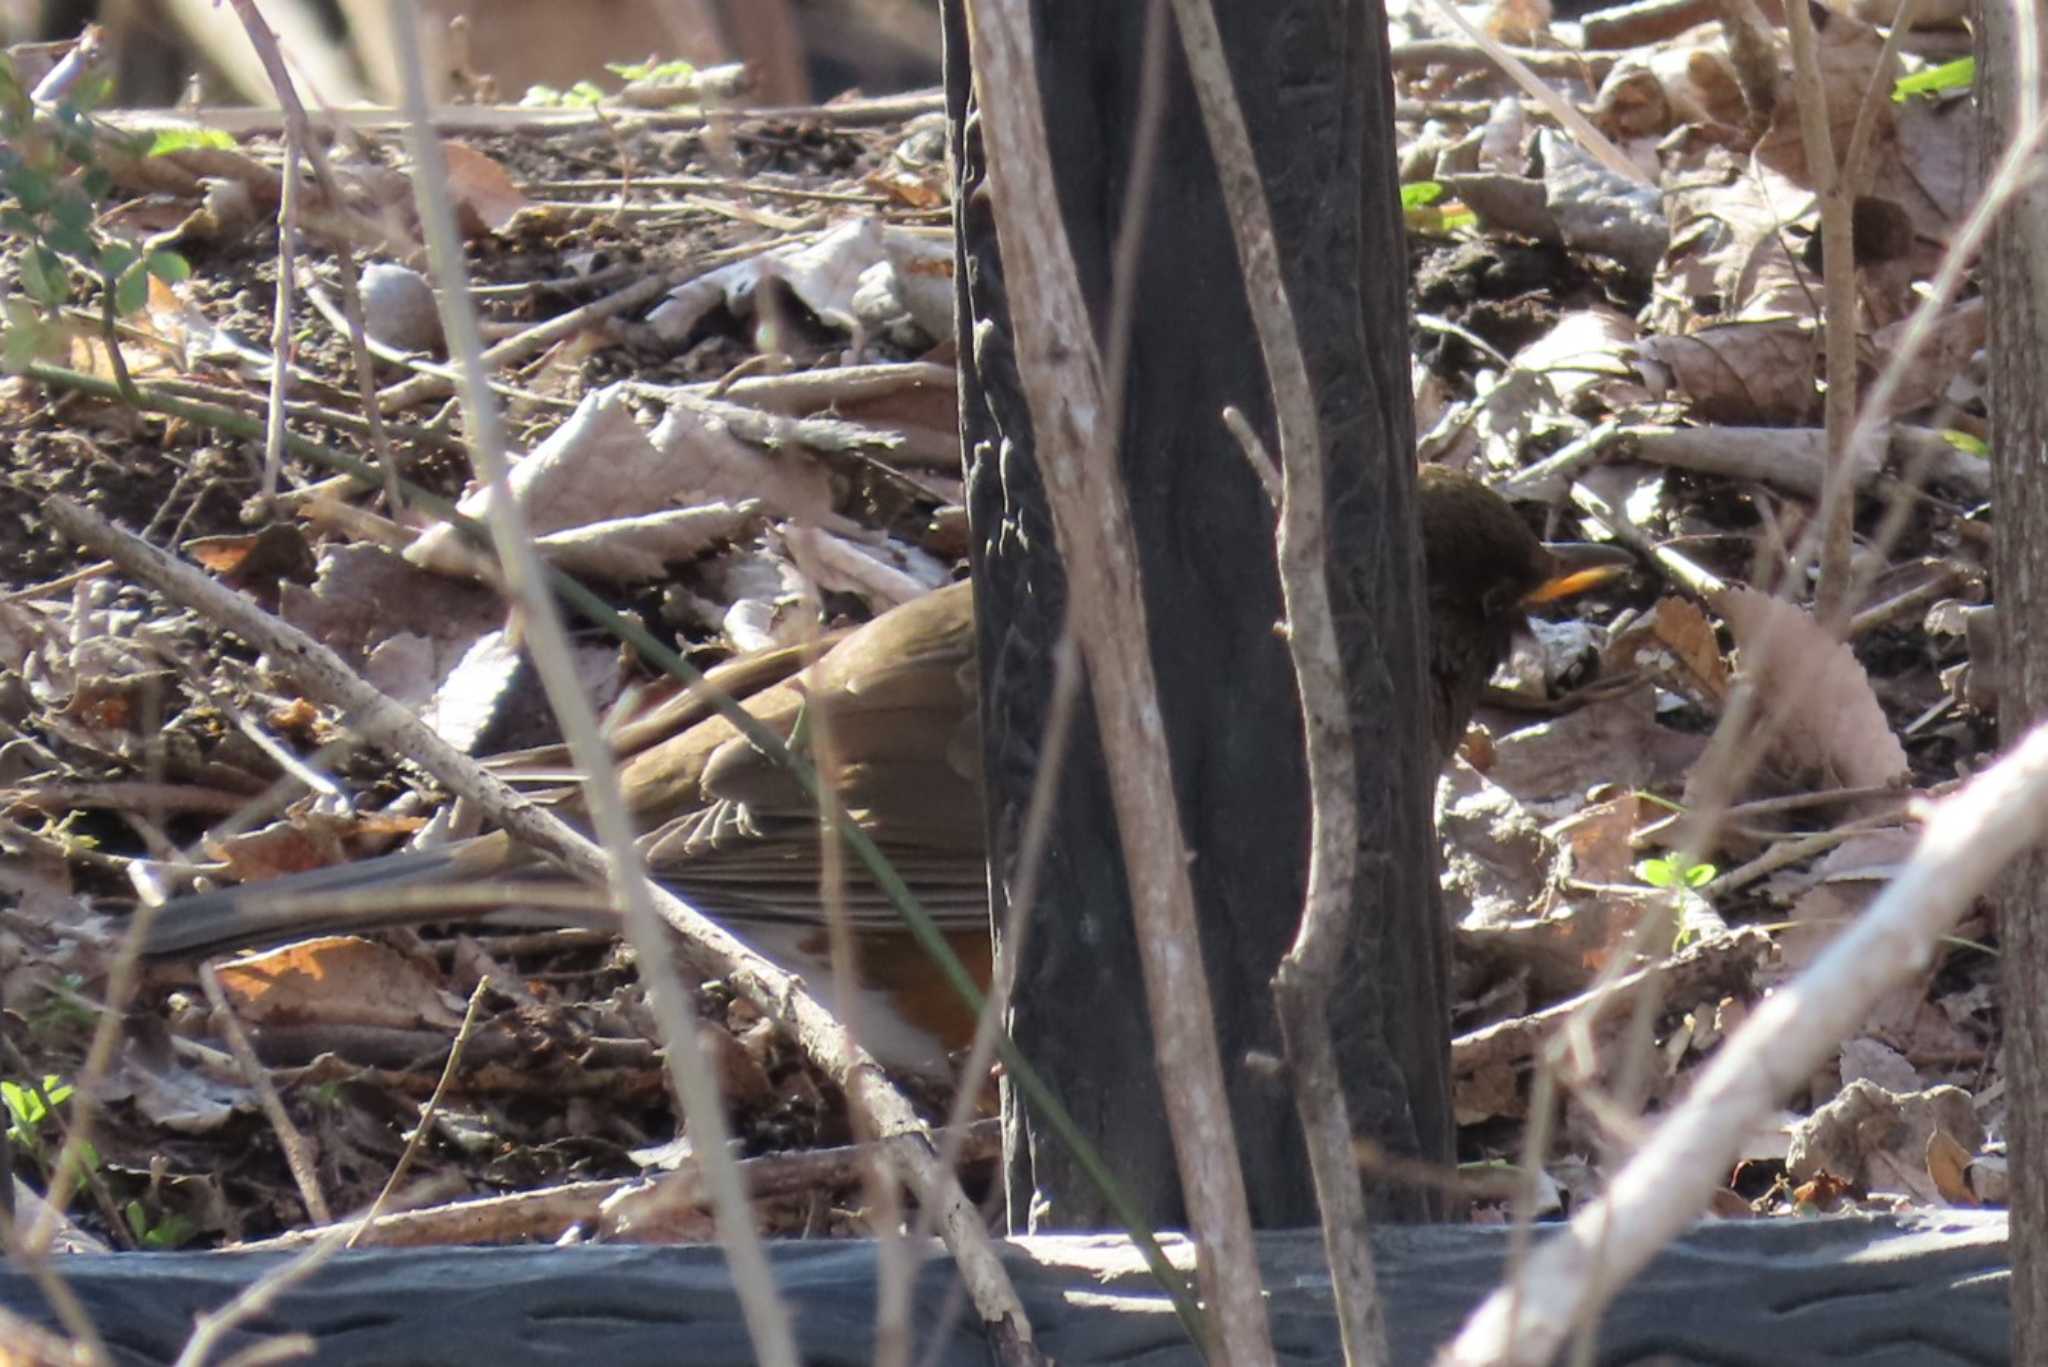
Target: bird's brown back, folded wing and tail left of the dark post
732,827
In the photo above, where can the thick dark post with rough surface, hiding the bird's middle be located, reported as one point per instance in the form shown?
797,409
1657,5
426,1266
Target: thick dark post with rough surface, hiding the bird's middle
1316,89
